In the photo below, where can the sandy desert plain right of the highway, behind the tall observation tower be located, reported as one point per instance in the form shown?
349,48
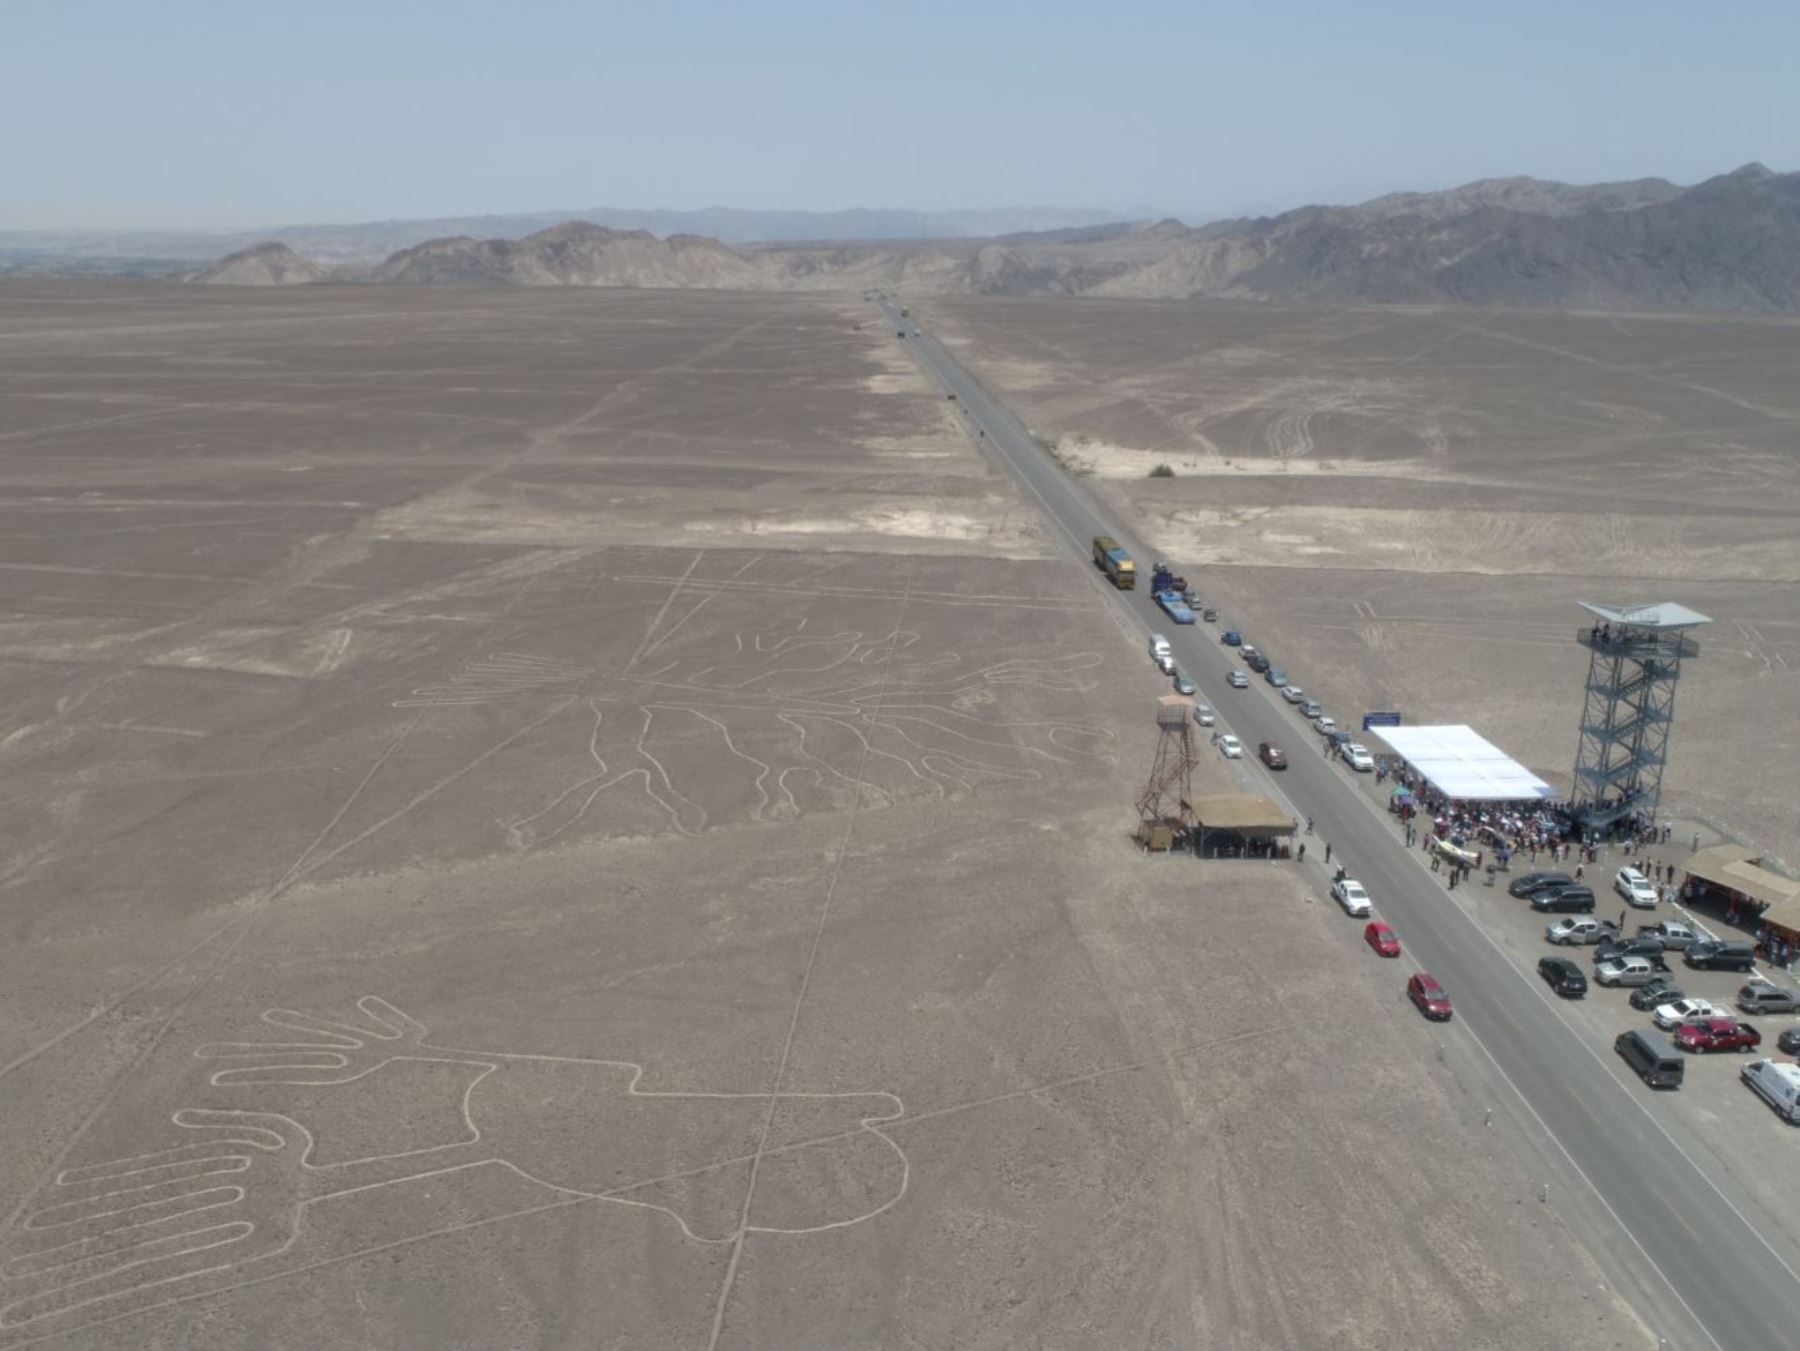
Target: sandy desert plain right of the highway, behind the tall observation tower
1407,505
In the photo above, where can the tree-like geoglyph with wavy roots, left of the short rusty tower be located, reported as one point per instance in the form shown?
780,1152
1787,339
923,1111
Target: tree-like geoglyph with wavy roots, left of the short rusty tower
933,726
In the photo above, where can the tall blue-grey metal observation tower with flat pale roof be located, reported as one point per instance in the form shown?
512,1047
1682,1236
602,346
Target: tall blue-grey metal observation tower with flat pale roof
1633,667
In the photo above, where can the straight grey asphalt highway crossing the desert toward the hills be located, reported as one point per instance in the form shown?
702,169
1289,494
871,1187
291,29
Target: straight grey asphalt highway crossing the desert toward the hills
1666,1235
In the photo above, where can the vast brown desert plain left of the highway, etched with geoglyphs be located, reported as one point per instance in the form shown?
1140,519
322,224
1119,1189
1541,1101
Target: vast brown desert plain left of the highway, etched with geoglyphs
591,819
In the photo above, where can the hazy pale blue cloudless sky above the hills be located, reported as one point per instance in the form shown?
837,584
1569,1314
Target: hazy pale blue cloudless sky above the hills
251,112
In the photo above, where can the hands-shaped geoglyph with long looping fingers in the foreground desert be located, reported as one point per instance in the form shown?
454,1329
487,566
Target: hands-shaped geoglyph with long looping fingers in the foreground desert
235,1201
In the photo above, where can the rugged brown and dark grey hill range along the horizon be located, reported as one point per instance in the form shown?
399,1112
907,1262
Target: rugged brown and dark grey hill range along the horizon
1727,244
